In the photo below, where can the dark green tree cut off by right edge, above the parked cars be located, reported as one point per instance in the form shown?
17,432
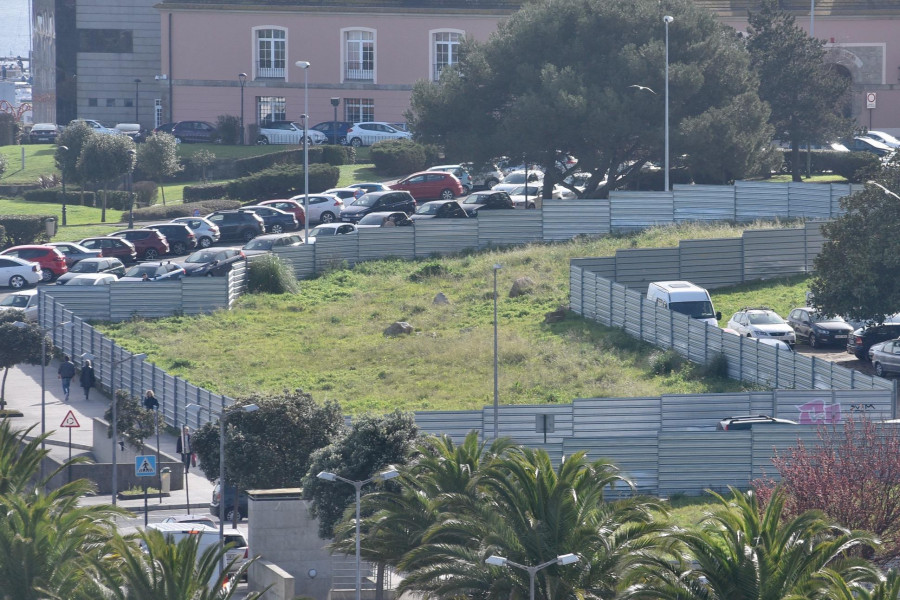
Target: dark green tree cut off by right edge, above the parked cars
853,272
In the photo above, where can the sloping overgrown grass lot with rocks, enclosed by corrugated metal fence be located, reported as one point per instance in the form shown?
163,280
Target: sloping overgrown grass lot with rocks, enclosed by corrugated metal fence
328,340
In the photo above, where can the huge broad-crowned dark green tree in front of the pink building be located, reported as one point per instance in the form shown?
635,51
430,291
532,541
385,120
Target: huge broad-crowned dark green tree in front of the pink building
587,79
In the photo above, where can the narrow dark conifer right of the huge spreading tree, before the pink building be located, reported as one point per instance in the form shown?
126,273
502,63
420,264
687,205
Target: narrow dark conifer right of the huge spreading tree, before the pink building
806,94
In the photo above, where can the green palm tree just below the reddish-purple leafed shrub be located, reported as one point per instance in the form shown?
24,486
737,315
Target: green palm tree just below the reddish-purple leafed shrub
743,553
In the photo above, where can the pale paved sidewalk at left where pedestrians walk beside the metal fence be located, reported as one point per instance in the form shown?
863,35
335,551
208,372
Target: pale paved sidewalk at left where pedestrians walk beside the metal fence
23,393
